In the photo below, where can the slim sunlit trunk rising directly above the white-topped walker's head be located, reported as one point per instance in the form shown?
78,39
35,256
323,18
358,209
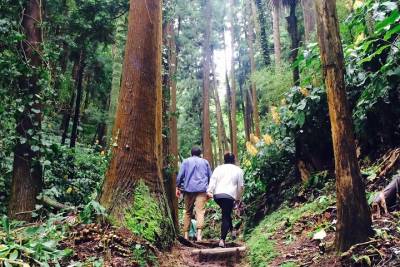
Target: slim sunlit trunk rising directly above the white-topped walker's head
233,82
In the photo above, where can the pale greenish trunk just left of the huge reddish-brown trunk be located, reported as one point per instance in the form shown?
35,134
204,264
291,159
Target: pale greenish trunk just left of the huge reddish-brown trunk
117,51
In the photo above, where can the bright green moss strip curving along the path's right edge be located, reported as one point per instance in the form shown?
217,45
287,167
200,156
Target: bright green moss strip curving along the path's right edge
262,246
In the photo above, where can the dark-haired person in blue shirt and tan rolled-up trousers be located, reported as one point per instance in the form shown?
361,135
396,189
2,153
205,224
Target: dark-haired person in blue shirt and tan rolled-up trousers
193,178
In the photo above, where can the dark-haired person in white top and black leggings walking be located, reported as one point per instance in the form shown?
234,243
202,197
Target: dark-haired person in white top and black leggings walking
226,187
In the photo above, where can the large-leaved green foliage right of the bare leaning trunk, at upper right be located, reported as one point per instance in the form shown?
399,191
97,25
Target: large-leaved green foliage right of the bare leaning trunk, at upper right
373,74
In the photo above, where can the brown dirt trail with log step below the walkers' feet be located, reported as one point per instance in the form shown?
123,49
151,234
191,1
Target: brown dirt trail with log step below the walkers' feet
184,256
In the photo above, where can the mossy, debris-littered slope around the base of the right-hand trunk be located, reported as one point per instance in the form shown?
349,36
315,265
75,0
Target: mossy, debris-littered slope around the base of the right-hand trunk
302,234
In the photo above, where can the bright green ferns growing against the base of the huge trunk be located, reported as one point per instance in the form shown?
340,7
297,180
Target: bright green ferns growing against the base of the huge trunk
145,218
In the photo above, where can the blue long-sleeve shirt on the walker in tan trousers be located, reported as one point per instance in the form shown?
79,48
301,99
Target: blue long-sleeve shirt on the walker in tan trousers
194,175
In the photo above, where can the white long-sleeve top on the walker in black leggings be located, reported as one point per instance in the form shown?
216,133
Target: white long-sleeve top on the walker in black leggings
227,179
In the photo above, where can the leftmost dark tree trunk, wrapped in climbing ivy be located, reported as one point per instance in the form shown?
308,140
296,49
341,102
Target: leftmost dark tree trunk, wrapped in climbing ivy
27,181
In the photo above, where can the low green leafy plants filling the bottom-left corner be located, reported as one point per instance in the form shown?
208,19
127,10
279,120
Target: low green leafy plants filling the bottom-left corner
38,244
